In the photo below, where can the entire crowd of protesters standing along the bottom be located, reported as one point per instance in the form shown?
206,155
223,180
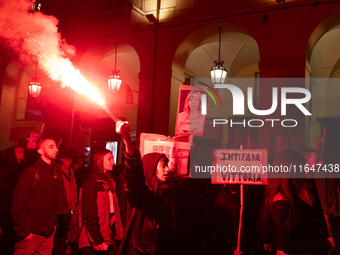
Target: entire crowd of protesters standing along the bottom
52,204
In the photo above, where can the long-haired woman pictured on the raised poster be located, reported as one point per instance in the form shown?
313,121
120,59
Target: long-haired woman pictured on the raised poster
191,121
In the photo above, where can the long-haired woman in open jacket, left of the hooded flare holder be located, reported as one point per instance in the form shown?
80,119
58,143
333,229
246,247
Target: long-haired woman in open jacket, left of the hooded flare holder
99,208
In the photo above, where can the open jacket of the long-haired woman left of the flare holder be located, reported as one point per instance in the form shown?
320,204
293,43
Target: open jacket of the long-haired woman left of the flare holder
94,213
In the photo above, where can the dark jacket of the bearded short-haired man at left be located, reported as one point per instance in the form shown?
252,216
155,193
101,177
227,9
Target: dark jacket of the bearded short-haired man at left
37,198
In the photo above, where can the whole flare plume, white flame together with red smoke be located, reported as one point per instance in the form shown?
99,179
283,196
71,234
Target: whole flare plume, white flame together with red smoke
35,37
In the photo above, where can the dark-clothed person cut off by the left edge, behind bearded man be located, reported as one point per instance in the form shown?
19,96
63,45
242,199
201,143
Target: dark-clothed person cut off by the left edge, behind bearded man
9,173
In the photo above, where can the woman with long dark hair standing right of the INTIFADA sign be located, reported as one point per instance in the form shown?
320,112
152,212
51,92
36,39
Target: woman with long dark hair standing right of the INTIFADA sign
287,213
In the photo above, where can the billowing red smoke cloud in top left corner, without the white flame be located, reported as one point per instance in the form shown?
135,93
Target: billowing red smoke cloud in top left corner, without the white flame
31,35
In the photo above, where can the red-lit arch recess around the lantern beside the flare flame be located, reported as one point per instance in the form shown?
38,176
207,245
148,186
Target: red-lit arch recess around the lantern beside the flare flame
132,58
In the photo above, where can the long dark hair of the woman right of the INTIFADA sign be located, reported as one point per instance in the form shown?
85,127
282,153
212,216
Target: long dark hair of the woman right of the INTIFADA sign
287,184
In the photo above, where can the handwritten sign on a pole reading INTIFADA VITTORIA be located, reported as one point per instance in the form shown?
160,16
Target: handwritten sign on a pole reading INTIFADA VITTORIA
239,167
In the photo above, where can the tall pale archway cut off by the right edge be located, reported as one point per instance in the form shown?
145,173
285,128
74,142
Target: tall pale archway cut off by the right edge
323,54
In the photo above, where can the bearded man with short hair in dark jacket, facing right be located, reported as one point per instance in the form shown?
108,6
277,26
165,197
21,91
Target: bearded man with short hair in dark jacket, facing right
36,199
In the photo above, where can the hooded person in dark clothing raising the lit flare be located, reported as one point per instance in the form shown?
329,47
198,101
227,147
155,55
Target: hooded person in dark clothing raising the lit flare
150,226
